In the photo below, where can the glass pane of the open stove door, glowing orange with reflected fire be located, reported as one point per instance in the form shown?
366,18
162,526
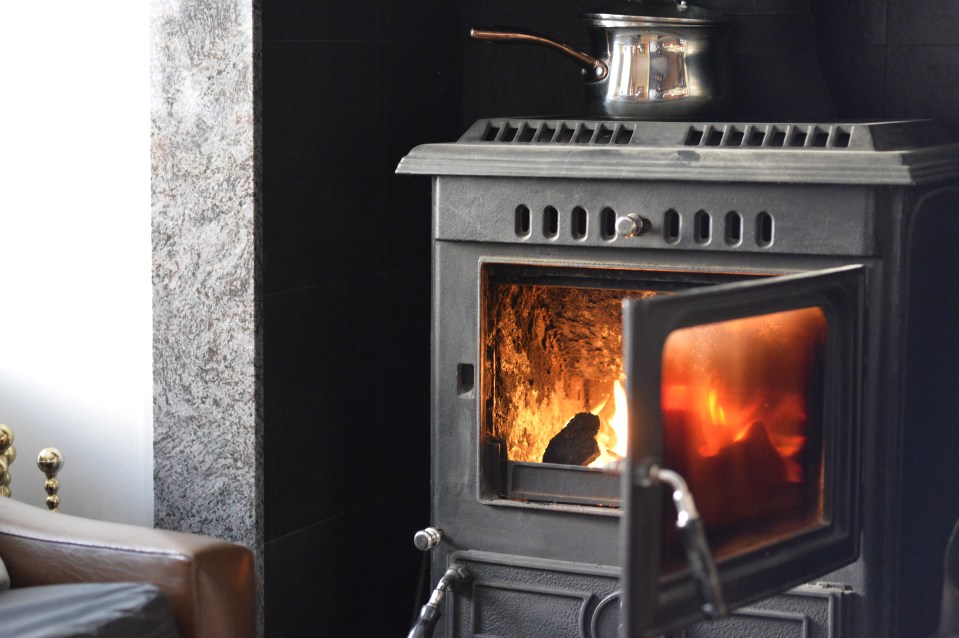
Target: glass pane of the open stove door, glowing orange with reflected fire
740,420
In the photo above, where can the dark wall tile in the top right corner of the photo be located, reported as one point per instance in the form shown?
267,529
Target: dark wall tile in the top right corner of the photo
914,23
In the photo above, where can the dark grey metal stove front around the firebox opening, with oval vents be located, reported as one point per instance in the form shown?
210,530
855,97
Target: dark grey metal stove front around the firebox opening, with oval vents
485,225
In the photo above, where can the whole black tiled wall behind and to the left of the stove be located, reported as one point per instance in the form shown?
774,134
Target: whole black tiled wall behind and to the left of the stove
348,88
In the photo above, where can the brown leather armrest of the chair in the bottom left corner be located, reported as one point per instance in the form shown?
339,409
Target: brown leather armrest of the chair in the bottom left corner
209,583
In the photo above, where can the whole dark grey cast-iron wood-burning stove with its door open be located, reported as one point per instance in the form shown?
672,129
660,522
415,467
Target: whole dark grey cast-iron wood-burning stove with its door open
771,306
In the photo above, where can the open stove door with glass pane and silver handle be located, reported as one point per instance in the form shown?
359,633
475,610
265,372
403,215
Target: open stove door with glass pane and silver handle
750,392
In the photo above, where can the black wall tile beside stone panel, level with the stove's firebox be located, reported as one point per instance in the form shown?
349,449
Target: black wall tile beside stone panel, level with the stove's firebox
324,403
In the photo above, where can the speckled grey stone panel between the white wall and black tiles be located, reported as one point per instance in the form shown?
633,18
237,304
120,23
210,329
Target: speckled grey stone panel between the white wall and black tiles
207,423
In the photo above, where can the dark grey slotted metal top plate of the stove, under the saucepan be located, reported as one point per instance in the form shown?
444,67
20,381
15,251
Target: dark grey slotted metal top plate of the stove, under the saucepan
868,152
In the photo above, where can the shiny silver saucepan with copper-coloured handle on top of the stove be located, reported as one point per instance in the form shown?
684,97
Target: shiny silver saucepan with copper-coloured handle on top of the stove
649,60
